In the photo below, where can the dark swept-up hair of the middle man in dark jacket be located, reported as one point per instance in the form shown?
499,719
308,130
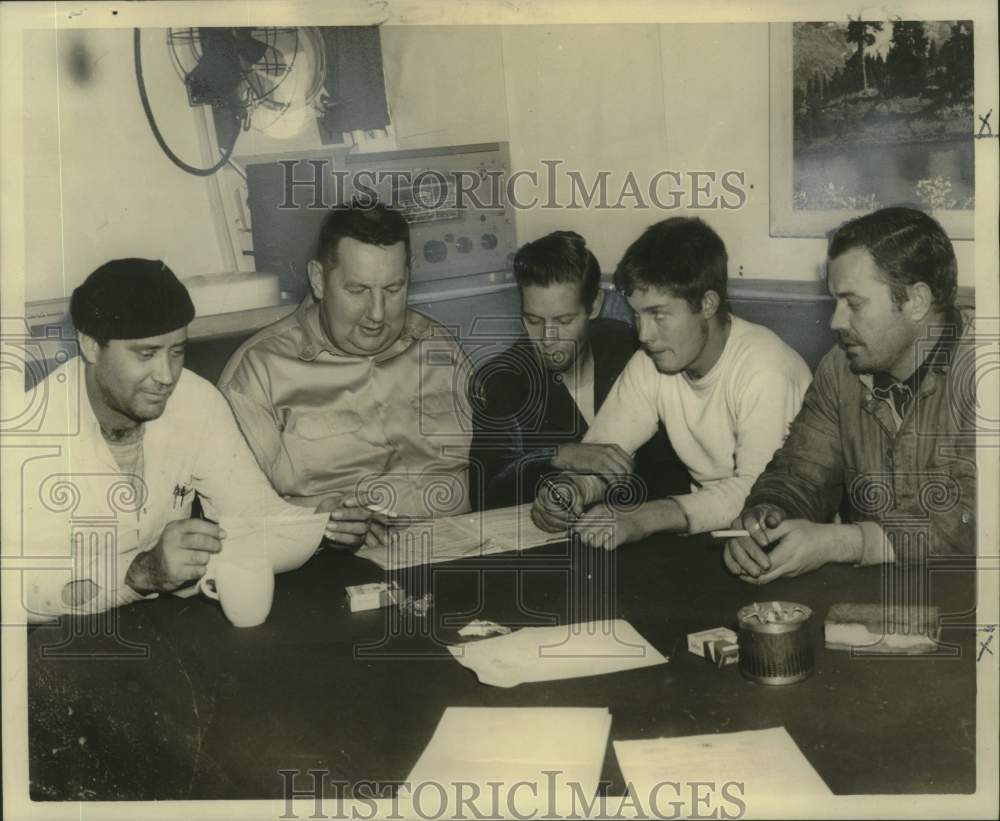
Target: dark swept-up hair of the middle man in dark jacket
561,256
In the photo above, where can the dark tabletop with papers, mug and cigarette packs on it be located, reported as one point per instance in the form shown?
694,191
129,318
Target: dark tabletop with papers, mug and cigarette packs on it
165,700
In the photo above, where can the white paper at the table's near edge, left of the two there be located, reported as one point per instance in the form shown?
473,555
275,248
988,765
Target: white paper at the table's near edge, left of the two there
554,754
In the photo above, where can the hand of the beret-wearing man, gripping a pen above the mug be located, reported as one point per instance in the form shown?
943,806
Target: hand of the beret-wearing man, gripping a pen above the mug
180,556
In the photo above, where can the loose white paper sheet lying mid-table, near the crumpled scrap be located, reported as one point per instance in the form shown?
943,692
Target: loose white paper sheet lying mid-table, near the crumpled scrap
551,653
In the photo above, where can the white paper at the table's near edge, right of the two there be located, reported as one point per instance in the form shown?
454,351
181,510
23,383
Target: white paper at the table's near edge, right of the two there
763,769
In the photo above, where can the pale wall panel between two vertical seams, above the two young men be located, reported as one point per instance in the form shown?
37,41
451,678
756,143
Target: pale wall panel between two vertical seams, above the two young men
591,96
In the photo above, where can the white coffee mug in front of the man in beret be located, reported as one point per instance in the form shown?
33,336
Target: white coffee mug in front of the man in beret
244,585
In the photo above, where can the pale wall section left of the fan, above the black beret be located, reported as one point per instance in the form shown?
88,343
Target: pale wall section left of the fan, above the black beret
97,187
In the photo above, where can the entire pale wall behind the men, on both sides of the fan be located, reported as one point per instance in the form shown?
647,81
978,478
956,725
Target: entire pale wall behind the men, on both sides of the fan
619,98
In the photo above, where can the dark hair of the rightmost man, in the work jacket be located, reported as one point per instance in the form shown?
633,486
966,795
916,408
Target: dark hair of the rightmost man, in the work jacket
908,247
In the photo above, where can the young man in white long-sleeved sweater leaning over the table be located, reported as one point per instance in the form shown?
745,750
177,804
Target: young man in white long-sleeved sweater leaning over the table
725,389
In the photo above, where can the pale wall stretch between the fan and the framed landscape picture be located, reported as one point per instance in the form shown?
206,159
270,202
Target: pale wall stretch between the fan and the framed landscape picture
685,97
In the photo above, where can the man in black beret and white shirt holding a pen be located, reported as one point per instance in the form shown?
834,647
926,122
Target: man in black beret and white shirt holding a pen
146,435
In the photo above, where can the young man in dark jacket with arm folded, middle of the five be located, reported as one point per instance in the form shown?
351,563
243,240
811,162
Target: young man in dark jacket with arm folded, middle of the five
533,403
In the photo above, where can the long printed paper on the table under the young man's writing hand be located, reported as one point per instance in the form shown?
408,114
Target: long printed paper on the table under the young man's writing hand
460,537
